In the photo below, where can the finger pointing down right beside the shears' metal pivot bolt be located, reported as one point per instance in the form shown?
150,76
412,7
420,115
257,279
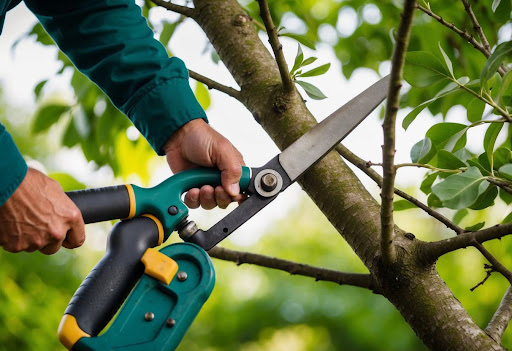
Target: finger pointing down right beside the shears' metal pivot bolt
228,162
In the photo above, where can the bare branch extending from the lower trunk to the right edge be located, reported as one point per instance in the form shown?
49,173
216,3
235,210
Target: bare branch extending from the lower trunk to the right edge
436,249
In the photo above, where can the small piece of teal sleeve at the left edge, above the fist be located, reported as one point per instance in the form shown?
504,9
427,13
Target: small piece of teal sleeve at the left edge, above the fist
12,166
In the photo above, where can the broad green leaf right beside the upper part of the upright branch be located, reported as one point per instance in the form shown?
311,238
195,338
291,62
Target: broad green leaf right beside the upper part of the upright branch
422,69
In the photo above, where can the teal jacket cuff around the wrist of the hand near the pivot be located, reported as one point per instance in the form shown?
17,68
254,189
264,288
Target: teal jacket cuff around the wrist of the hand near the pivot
162,108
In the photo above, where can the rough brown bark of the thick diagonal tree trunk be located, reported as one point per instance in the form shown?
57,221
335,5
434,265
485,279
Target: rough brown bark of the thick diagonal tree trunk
416,290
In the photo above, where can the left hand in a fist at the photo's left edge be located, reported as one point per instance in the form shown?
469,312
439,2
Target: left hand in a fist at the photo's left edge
40,216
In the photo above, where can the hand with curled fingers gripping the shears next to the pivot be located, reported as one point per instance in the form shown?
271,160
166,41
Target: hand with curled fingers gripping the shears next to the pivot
197,144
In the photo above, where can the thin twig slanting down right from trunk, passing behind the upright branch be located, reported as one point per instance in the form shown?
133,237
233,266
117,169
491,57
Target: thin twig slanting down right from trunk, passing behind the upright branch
361,164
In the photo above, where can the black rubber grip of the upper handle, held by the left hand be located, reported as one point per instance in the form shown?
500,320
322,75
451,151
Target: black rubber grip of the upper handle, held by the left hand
102,204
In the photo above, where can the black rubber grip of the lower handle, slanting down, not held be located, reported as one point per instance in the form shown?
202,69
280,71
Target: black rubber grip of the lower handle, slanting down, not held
106,287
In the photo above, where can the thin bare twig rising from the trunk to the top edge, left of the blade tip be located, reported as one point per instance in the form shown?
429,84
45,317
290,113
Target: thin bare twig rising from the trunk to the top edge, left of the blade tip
276,46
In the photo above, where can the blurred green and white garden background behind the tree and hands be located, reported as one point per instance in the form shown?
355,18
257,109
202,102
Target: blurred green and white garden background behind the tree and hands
65,126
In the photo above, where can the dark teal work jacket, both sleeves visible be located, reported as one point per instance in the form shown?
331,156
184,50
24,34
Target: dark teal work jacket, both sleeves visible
111,43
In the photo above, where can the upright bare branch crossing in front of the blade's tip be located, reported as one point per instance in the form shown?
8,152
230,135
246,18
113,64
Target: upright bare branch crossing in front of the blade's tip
388,150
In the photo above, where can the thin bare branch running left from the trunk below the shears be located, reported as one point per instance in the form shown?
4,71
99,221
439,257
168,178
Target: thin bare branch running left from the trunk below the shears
341,278
